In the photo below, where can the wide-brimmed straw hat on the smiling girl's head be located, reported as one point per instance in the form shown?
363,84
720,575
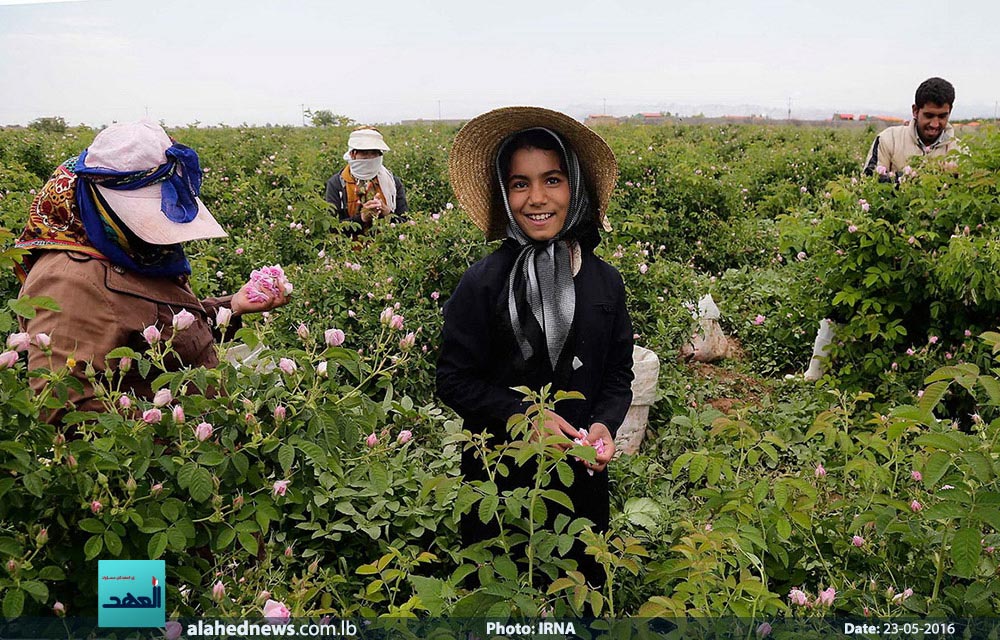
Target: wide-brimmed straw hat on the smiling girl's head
472,163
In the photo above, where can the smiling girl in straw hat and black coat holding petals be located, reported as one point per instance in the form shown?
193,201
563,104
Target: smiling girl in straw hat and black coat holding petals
541,309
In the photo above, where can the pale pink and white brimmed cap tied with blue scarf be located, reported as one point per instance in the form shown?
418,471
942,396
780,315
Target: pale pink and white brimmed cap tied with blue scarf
139,146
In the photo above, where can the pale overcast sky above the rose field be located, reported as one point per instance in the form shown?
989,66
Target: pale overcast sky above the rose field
256,61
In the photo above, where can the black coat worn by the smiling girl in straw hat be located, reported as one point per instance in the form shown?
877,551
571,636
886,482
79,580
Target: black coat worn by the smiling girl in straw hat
480,361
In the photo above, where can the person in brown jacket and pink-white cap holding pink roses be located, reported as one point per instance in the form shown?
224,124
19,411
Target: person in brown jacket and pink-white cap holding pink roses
104,241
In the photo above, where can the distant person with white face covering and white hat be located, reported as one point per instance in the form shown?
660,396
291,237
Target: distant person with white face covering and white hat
365,189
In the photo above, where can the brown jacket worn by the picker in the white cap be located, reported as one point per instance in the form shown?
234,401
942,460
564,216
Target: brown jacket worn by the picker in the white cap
104,307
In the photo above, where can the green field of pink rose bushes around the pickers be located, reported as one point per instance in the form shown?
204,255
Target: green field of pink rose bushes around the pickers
325,473
